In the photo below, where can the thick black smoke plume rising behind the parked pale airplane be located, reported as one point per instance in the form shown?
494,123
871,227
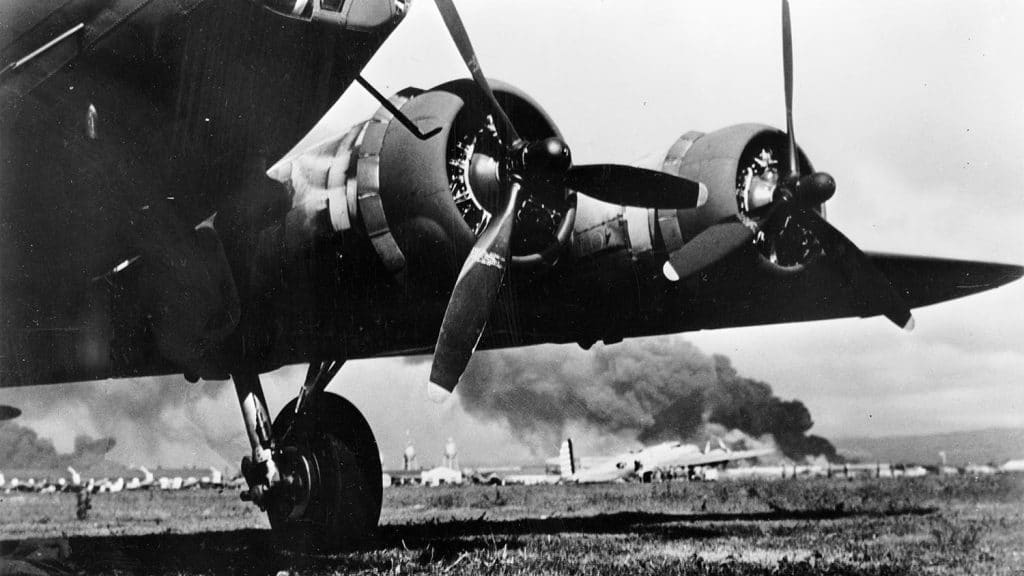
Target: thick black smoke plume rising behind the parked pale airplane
651,390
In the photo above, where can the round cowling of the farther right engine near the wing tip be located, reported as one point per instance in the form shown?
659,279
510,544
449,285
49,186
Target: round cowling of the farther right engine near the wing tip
742,166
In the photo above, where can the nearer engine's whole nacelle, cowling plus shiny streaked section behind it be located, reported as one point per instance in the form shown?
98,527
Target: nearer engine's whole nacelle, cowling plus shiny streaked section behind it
422,203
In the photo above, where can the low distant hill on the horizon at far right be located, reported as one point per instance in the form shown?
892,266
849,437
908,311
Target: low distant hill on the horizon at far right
993,445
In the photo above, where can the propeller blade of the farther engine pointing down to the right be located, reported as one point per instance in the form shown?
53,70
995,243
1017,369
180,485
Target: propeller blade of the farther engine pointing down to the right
861,272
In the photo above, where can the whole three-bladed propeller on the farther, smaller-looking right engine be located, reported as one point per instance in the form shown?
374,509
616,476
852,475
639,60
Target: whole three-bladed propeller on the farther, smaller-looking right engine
794,198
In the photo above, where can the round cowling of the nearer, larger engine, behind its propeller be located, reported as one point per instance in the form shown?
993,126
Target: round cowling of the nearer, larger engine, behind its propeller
441,193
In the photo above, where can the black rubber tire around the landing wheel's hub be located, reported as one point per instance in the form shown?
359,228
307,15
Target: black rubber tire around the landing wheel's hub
347,508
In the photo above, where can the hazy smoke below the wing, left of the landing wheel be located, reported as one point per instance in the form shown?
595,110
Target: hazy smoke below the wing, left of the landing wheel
156,422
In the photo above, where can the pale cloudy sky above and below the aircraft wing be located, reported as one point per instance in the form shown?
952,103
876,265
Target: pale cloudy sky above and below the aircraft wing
917,108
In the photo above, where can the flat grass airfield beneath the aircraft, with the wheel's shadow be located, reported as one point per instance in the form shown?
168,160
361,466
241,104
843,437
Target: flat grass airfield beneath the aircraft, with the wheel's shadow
957,525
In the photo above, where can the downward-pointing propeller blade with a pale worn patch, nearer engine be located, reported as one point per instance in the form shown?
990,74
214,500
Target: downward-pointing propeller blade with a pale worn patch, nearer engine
475,295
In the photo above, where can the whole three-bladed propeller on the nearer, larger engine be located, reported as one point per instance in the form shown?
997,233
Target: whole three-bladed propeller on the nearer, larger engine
525,163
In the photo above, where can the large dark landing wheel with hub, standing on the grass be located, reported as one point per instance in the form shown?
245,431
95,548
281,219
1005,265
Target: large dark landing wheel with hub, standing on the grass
332,466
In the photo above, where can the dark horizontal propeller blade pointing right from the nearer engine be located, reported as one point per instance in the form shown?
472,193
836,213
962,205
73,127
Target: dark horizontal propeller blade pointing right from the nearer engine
629,186
